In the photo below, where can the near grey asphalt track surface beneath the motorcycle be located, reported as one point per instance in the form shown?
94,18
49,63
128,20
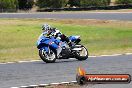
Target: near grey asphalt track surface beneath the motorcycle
33,73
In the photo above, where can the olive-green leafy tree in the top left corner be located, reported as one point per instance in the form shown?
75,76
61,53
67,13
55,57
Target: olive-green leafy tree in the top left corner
8,5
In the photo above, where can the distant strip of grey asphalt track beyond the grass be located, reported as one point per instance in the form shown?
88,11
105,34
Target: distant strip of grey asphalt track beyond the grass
126,16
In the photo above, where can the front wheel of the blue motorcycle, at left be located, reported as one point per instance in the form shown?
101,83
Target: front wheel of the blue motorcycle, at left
51,58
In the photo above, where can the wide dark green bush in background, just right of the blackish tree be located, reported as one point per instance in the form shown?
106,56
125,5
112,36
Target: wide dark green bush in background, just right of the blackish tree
51,3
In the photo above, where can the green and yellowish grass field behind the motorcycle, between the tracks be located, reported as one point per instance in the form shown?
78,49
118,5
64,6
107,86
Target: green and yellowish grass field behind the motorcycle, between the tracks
18,37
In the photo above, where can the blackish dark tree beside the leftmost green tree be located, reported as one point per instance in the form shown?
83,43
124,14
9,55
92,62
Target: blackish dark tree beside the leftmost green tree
25,4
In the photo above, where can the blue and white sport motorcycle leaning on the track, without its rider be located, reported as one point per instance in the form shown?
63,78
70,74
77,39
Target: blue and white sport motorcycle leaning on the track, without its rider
48,49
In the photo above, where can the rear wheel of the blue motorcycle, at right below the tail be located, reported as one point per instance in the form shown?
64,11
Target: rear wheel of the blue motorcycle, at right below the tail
82,54
